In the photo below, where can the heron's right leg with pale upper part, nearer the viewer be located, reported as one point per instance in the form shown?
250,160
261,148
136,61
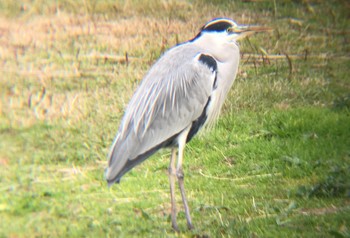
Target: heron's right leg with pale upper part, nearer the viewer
180,177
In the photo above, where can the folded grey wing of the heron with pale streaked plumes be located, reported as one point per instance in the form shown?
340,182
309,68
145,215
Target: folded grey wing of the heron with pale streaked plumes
168,101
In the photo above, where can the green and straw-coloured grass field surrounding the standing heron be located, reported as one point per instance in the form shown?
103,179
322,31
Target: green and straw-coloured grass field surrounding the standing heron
275,165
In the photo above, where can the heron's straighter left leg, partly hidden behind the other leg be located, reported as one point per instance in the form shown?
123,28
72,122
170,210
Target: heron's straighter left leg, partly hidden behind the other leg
172,178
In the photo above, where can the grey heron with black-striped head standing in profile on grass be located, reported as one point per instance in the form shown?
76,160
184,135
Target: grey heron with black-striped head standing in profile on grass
184,90
